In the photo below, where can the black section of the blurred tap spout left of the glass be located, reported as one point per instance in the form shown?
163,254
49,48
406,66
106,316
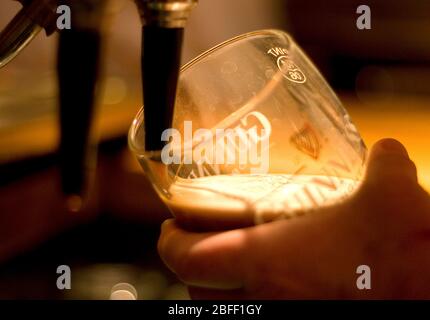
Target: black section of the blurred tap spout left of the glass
78,72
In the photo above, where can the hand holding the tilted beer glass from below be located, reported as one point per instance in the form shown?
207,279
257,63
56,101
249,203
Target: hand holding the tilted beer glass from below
384,225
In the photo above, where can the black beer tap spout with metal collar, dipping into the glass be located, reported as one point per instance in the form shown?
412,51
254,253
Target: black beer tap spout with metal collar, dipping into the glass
163,26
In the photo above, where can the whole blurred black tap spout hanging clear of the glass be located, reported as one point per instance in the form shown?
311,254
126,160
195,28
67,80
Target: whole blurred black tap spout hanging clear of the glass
78,69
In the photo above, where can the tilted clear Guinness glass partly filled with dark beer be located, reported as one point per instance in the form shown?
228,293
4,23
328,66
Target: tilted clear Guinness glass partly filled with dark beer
257,135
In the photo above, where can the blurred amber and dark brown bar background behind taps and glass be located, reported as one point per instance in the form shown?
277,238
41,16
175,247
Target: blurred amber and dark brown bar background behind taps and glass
382,76
